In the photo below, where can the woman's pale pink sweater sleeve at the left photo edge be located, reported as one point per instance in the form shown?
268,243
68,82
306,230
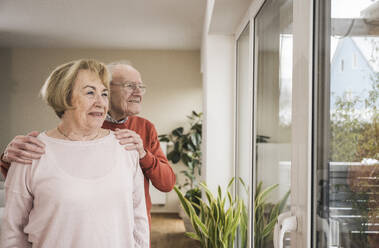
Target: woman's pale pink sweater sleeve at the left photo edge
18,204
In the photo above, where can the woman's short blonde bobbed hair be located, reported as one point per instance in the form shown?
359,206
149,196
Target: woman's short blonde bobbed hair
57,90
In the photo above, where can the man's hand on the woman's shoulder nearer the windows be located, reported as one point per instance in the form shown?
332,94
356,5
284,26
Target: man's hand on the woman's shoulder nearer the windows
131,140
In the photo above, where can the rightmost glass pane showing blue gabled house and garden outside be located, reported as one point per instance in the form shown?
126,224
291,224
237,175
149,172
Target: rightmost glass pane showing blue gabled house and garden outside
348,206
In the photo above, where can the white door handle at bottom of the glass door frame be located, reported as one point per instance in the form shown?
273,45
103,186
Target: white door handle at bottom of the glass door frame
286,223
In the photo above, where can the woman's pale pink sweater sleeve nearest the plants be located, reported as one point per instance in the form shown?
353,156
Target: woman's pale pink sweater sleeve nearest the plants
141,224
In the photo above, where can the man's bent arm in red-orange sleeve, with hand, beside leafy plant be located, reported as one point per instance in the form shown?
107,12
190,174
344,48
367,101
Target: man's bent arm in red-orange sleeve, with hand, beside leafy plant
153,162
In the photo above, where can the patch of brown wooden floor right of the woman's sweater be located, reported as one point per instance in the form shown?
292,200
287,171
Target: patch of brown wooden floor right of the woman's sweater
167,231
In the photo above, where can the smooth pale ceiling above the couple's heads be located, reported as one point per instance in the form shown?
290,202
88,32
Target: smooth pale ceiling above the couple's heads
131,24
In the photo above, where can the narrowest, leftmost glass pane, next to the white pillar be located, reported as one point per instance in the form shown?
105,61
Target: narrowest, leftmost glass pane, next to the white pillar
244,133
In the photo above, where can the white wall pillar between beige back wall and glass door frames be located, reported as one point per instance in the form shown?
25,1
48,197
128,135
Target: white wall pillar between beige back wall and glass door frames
218,141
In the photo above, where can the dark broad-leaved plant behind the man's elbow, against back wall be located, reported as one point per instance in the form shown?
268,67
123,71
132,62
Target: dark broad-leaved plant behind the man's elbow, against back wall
185,146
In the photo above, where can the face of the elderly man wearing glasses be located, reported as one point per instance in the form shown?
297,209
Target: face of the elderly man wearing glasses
124,101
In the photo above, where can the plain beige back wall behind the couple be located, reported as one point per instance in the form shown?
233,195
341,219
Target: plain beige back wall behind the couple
173,79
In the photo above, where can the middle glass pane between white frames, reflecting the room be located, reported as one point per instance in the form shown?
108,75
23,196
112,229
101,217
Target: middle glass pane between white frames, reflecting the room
273,46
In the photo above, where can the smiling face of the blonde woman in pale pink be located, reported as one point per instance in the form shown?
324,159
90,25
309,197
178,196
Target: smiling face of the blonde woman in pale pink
89,101
